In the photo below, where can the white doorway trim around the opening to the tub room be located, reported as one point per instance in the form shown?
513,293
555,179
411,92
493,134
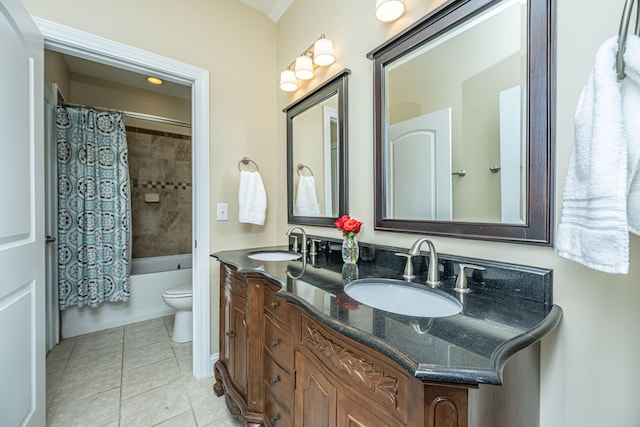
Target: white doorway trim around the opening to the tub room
67,40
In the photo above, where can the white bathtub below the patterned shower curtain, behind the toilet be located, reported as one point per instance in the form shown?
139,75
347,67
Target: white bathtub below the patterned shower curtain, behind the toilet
149,278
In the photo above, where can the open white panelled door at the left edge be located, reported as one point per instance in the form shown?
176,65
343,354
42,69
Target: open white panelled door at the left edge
22,340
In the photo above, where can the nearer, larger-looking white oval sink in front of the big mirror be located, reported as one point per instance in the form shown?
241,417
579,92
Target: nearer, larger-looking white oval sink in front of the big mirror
396,296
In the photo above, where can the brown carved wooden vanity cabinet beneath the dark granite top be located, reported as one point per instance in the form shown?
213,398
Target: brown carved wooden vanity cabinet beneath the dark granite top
279,366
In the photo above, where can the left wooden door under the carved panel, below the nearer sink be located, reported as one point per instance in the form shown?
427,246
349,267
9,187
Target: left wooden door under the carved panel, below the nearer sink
315,396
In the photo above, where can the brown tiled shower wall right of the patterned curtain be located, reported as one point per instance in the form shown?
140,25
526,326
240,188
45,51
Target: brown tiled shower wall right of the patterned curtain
160,163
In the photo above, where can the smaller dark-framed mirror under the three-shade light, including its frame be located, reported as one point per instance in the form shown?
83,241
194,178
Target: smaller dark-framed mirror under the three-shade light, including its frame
317,154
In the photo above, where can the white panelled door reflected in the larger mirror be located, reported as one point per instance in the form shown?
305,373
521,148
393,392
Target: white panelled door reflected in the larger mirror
418,171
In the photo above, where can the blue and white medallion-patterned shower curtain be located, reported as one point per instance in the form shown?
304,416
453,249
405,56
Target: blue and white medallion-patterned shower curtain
94,215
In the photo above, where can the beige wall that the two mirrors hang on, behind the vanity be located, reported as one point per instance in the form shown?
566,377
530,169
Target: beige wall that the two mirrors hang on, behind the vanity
589,364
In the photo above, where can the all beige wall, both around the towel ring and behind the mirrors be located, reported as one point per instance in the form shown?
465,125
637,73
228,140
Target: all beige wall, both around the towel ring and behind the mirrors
589,364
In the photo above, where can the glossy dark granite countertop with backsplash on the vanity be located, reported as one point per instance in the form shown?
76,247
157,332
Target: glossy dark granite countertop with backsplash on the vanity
509,308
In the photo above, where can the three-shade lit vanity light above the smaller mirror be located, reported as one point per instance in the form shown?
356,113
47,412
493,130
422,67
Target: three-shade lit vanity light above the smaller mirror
319,54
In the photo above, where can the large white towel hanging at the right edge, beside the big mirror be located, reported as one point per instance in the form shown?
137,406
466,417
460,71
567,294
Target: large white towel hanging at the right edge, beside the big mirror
600,198
